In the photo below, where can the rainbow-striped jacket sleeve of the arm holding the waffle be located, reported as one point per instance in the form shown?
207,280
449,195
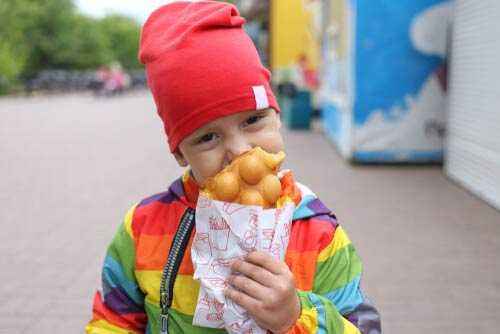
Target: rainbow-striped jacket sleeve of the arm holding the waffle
336,304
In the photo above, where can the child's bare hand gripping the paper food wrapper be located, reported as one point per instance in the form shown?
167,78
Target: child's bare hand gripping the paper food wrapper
266,289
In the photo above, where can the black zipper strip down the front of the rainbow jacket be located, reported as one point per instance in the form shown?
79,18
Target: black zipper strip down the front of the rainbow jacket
171,268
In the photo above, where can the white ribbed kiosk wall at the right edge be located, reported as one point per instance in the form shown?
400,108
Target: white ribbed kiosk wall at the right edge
473,144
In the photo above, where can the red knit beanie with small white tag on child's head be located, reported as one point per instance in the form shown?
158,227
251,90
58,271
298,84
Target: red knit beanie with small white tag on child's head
201,65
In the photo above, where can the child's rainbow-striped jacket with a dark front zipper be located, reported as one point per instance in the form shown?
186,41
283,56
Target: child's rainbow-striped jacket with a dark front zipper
323,260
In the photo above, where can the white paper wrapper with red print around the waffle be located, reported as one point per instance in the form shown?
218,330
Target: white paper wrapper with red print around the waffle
225,232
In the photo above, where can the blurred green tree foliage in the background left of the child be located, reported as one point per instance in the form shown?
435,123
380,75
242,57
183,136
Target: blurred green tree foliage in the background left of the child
50,34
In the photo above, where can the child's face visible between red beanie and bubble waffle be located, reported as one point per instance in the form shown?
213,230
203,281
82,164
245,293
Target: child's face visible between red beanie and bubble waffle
209,149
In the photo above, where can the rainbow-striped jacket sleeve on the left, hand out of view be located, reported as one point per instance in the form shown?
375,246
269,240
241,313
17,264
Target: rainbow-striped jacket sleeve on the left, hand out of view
119,308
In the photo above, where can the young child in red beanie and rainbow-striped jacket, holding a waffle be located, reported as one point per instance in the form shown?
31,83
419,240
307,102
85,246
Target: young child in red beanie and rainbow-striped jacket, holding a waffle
214,98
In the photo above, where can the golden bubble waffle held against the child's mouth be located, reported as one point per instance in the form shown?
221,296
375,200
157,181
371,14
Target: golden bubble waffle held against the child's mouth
249,180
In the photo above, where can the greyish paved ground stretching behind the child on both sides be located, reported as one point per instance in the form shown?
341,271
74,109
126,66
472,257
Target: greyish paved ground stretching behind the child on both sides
70,167
